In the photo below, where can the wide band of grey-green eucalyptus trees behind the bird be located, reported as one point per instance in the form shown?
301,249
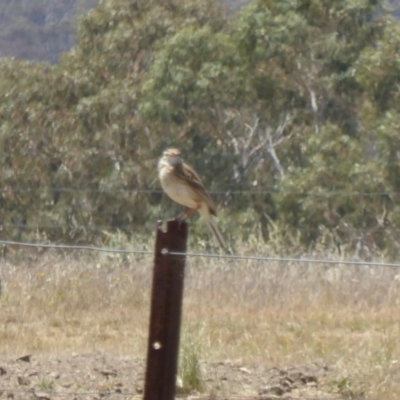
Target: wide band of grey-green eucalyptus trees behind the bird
289,109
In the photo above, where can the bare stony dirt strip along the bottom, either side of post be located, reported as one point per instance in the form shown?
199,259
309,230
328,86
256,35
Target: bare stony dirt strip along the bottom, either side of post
101,376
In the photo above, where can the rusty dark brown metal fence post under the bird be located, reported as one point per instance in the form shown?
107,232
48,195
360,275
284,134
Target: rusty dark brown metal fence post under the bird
165,311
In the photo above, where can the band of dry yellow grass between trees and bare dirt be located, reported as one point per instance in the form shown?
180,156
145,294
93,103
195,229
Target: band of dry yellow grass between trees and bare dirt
262,313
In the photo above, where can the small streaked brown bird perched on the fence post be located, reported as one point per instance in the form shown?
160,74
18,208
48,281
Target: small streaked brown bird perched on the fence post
182,184
